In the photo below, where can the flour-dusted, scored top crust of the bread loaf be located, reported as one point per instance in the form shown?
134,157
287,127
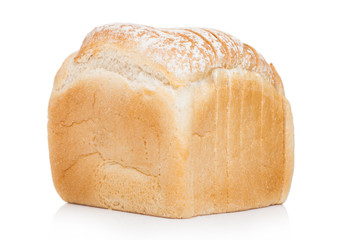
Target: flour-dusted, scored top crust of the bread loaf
177,56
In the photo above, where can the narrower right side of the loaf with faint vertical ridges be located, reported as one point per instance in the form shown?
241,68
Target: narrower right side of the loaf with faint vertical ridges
241,145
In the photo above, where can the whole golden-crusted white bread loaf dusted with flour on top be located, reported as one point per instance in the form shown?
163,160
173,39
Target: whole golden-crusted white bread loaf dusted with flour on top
169,122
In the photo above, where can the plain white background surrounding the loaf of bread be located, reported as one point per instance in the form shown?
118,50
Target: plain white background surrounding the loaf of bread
301,38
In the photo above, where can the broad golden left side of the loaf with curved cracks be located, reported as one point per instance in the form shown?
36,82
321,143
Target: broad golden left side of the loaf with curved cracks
118,147
